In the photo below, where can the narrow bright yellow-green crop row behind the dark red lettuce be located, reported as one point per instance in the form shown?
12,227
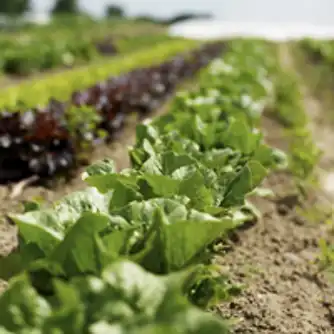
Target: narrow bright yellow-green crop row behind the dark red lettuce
37,92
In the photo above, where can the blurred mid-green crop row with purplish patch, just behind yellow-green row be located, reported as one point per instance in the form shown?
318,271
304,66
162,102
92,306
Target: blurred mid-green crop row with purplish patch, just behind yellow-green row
26,57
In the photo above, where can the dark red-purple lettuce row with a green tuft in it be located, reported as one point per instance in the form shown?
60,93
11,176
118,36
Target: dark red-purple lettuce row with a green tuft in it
48,140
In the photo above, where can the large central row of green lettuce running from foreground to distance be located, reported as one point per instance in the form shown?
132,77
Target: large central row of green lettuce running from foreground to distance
133,253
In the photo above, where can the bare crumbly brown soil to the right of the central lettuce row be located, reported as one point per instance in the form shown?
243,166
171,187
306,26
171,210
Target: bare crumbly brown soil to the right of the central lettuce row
277,258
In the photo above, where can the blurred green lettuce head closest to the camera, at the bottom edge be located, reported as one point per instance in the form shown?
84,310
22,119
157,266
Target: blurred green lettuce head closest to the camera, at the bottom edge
125,299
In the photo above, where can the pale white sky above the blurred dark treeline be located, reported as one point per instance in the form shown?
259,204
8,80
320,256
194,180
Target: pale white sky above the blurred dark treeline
310,11
